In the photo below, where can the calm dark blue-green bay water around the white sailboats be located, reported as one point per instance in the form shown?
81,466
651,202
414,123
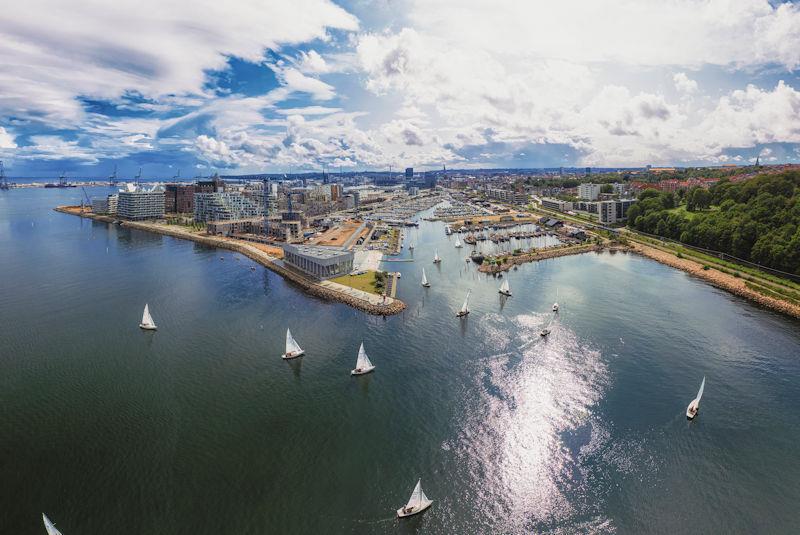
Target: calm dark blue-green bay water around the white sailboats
201,428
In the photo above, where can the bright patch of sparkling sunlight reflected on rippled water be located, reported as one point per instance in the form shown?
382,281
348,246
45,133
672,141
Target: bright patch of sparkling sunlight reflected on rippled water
531,424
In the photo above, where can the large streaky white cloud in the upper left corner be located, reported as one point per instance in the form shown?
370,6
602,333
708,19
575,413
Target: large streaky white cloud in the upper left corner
52,52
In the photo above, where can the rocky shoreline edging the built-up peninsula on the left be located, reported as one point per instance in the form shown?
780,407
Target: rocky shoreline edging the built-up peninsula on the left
323,289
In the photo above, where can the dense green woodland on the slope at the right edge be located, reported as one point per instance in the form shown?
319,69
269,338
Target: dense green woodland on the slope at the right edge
757,219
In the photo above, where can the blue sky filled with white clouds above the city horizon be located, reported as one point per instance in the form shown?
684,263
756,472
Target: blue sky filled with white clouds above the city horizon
250,86
